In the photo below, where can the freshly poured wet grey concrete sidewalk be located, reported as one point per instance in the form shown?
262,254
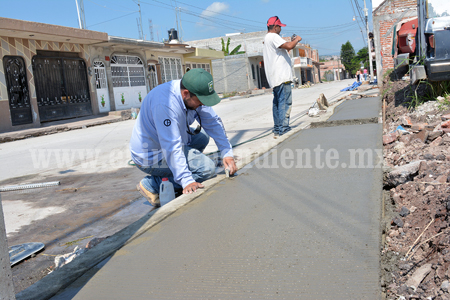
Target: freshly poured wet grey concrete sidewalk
301,222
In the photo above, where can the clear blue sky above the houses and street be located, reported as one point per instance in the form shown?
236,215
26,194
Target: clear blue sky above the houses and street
324,24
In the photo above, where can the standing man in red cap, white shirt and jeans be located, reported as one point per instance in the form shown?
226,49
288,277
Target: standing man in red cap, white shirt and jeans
278,67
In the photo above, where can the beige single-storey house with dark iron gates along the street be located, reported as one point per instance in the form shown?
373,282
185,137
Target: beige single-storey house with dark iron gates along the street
50,73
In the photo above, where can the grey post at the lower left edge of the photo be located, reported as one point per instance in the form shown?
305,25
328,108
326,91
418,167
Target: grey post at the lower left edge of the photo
6,283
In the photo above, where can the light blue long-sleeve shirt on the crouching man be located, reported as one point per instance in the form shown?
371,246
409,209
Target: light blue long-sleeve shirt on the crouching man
161,131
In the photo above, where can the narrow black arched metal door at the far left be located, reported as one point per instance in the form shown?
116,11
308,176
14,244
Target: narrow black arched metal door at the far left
19,97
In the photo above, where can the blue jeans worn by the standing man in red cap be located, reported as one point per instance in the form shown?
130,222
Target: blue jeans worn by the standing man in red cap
282,105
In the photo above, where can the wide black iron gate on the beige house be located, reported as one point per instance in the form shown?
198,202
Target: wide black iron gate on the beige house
62,88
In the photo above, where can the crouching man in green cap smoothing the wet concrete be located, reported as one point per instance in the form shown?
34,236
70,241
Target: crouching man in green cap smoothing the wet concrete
163,144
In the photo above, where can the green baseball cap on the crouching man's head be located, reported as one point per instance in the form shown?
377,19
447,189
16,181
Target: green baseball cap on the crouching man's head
200,82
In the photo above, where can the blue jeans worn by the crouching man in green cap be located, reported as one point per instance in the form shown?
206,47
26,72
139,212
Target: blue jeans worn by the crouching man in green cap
201,166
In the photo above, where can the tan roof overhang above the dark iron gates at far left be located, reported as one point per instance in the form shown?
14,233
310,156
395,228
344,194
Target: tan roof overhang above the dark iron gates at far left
47,32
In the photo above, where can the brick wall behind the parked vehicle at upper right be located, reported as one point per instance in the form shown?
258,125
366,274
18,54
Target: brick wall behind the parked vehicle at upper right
385,17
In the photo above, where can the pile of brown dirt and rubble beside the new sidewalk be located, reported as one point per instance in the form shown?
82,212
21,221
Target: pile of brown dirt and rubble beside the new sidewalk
416,233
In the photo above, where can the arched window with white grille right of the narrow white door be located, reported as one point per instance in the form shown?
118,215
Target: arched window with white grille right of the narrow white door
127,71
